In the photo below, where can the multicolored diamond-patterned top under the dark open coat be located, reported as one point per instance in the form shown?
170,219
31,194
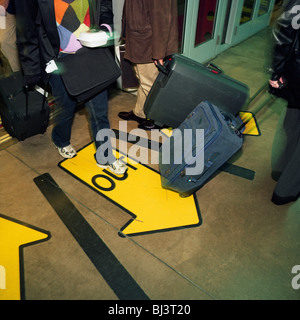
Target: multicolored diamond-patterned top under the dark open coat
72,18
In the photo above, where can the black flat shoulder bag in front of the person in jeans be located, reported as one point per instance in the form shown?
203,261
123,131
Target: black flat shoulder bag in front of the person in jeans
87,72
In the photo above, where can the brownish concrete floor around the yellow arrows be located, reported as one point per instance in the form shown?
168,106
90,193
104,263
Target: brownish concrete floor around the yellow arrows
245,248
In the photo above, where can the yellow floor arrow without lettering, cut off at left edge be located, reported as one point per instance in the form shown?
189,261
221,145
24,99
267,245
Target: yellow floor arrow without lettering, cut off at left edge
14,235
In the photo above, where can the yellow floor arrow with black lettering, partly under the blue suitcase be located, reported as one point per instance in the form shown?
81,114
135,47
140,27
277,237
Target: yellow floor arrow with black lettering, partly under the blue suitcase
139,192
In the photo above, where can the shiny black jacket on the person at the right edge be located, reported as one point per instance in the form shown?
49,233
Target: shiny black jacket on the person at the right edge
286,55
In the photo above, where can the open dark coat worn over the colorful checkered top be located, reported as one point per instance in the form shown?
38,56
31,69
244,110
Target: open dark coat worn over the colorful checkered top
37,36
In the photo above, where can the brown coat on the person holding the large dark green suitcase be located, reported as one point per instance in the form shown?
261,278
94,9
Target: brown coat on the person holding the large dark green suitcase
150,29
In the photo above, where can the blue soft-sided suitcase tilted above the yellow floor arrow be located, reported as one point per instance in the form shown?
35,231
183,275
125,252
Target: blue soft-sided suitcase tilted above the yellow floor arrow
189,159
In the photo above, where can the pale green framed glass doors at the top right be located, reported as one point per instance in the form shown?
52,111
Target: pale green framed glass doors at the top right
208,27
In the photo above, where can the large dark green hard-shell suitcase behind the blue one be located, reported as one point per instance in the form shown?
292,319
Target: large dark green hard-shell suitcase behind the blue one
183,83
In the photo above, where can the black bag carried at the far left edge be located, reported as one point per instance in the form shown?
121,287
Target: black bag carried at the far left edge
23,113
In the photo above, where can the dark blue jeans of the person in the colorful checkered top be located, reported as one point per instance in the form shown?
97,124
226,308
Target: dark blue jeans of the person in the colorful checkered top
97,108
